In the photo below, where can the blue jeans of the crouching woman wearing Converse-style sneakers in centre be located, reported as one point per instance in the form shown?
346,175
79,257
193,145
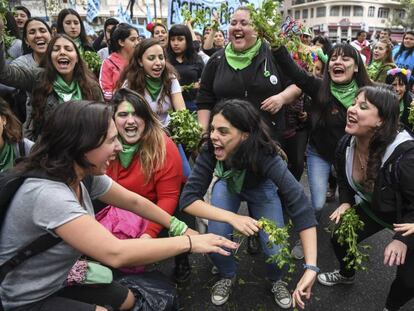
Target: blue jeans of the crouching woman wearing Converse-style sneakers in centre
262,201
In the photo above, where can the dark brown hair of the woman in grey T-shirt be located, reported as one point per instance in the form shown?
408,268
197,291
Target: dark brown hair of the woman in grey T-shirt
72,130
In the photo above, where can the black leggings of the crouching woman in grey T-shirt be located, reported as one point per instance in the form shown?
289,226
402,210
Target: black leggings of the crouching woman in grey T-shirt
82,298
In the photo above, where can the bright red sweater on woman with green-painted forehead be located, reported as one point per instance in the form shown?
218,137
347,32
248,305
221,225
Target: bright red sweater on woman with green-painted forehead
163,189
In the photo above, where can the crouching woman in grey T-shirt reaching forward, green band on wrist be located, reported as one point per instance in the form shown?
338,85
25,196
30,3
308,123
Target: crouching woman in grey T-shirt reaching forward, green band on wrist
79,140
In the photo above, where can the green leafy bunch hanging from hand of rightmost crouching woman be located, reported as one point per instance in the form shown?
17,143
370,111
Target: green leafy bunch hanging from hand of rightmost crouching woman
346,233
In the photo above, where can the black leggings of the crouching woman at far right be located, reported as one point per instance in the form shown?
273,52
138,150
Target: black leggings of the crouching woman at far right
402,288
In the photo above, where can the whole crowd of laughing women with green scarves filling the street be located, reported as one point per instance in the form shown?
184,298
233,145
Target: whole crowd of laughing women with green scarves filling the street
113,182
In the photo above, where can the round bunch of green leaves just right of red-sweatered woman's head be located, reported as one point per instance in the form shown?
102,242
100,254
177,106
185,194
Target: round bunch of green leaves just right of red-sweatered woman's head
185,129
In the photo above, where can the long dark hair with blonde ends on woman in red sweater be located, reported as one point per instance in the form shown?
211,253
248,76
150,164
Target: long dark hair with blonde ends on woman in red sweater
152,150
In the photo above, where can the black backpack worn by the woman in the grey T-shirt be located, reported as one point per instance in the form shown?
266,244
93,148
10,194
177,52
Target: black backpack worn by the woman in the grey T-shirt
10,182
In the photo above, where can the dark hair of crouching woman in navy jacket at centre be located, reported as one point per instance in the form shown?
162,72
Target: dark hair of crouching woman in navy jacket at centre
246,118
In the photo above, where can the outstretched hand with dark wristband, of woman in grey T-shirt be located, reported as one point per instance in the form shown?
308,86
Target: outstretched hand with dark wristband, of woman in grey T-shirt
211,243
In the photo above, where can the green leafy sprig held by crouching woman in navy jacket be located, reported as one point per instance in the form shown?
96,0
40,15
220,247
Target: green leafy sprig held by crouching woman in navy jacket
278,236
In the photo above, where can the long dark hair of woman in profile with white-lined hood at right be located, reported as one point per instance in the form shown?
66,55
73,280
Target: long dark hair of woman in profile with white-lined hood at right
388,107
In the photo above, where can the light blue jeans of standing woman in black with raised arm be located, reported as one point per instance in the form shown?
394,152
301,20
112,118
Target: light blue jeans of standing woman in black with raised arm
318,176
